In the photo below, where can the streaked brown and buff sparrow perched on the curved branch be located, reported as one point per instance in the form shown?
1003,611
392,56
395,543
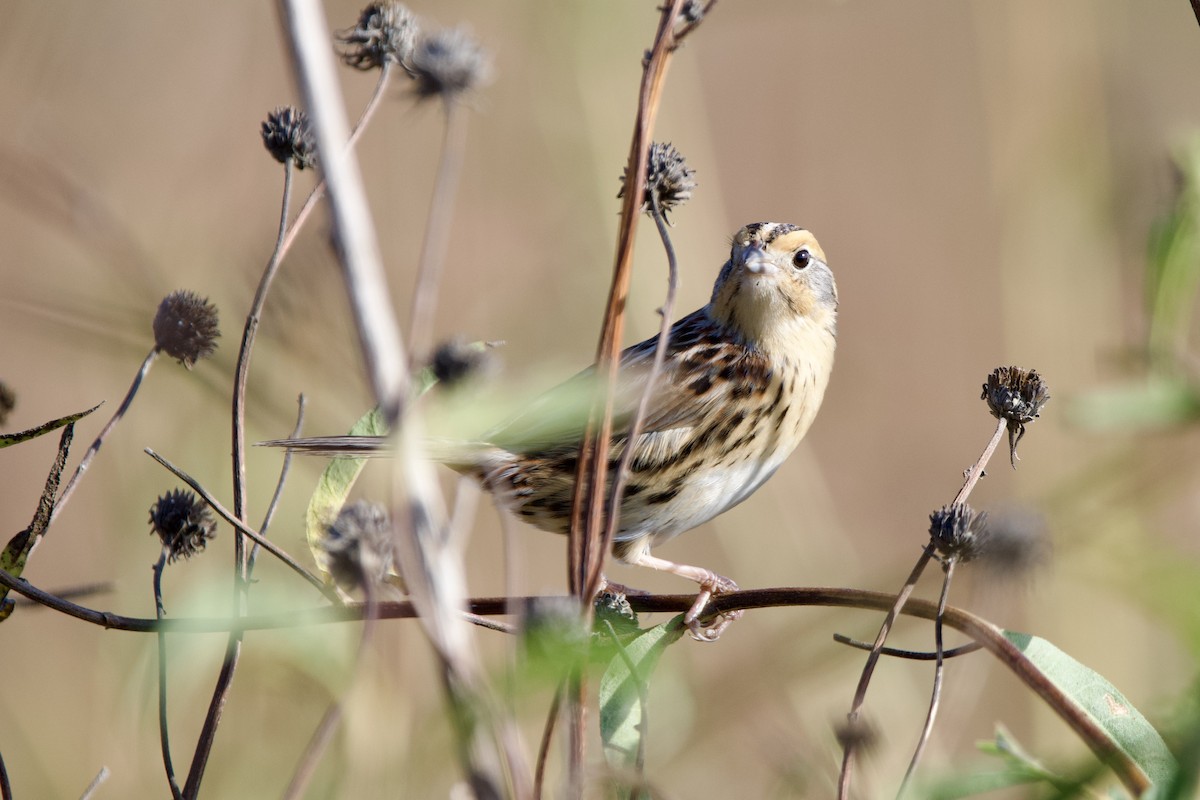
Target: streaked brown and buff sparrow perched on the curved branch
741,384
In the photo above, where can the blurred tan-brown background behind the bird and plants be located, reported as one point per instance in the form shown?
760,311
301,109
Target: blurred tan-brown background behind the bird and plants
982,177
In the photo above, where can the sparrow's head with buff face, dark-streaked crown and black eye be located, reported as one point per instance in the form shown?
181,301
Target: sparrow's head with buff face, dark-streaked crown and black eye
776,285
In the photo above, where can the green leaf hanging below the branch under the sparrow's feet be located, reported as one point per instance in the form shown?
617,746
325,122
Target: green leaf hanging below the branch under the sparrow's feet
623,693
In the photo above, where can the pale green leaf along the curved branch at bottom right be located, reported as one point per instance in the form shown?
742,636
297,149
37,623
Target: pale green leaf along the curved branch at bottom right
1100,700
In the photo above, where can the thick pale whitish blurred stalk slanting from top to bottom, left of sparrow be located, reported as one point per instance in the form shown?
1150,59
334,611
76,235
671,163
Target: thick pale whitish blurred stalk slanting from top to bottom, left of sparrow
437,592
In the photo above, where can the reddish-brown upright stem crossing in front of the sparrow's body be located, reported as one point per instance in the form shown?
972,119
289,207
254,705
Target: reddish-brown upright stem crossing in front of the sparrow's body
587,544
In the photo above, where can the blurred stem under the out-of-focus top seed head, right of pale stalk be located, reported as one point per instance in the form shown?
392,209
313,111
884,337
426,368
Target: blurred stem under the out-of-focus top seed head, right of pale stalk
437,231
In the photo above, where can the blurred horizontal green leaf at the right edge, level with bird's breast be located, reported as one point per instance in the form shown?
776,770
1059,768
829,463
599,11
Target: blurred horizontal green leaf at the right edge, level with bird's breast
1161,402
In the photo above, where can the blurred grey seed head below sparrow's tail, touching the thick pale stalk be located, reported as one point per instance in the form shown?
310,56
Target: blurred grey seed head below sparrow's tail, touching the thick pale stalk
359,545
